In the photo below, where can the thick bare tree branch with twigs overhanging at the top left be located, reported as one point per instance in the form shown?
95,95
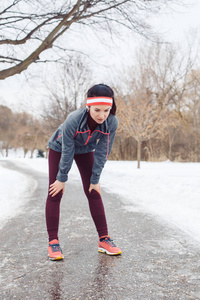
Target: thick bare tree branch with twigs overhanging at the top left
28,28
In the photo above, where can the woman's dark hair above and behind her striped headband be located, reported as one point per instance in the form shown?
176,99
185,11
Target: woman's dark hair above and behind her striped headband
100,90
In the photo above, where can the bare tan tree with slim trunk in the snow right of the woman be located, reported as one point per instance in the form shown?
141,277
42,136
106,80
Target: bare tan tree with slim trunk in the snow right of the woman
158,83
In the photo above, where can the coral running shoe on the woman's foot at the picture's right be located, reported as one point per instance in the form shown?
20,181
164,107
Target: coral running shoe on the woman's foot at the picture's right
106,245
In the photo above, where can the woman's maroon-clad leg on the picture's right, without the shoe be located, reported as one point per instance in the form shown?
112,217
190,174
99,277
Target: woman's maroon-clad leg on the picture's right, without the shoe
85,164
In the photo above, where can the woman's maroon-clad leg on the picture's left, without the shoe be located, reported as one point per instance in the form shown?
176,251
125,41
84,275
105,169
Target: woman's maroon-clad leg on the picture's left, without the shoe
53,203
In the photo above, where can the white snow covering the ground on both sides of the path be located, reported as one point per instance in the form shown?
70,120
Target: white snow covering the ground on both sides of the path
168,190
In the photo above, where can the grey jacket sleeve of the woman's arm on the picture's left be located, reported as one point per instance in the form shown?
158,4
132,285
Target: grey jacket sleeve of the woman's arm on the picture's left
68,148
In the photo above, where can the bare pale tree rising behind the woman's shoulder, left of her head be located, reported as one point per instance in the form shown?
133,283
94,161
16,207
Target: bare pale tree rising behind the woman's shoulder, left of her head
66,91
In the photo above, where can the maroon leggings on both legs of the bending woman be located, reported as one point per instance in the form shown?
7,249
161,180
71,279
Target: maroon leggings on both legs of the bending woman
84,163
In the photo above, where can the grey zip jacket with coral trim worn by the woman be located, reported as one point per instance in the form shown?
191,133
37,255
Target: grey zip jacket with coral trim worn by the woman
75,137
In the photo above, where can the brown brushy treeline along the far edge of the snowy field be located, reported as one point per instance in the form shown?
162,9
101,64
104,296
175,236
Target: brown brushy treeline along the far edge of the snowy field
178,141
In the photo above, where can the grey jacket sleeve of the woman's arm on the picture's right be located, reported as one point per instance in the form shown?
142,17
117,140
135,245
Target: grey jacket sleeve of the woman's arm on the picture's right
102,152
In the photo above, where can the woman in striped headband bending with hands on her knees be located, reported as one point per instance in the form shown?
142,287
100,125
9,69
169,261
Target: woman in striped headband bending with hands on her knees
86,136
